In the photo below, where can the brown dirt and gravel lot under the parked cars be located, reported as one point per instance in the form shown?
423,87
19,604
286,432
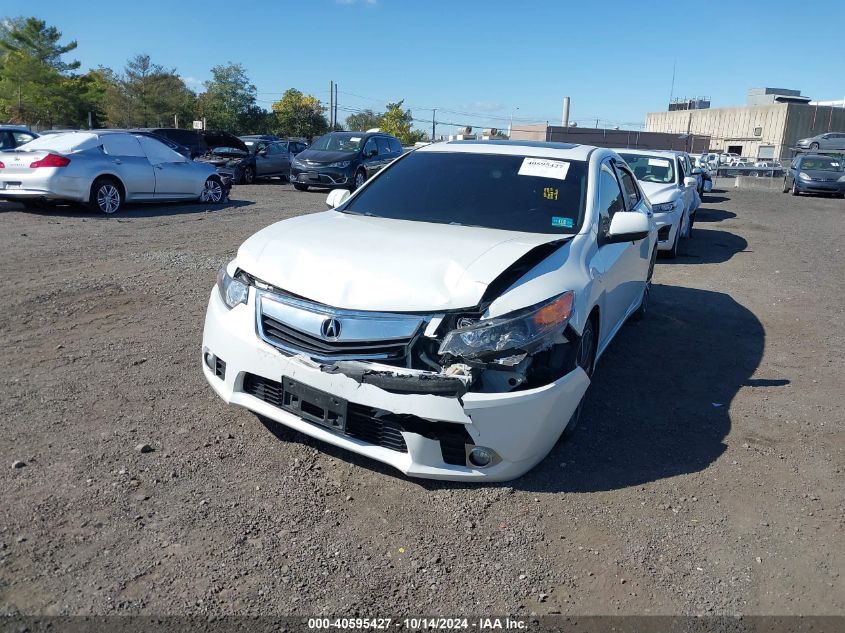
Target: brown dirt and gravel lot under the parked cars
706,475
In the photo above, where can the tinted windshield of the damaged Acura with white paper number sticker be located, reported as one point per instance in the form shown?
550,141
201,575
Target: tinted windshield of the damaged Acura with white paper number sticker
512,193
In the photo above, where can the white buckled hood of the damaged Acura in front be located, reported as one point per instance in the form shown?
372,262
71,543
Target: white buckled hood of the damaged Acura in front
377,264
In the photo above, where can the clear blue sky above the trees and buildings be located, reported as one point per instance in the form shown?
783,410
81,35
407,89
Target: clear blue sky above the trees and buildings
478,62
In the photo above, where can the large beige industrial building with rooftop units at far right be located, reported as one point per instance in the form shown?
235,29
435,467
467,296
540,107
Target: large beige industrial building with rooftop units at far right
767,127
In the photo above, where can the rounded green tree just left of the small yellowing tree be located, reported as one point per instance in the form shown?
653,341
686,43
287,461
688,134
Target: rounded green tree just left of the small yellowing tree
228,102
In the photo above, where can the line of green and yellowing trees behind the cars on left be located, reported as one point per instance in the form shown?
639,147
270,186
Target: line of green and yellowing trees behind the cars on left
39,88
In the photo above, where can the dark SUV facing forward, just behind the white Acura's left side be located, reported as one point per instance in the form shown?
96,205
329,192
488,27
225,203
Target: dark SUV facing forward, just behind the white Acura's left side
343,159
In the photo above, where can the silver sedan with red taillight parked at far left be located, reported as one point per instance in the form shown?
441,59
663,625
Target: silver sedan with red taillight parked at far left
104,169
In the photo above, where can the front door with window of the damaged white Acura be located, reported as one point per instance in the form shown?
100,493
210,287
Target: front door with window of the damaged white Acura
618,264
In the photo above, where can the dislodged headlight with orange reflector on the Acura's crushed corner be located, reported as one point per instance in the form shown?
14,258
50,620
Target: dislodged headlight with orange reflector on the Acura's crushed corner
524,330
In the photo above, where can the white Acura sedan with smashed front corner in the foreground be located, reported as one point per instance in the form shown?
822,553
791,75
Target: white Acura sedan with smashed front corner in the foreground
446,318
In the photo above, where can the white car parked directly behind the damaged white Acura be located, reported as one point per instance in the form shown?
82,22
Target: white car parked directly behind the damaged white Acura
673,195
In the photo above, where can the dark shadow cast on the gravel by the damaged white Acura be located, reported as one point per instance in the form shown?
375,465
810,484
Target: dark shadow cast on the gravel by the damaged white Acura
659,403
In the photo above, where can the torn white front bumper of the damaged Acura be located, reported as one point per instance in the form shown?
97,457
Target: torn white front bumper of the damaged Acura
423,423
